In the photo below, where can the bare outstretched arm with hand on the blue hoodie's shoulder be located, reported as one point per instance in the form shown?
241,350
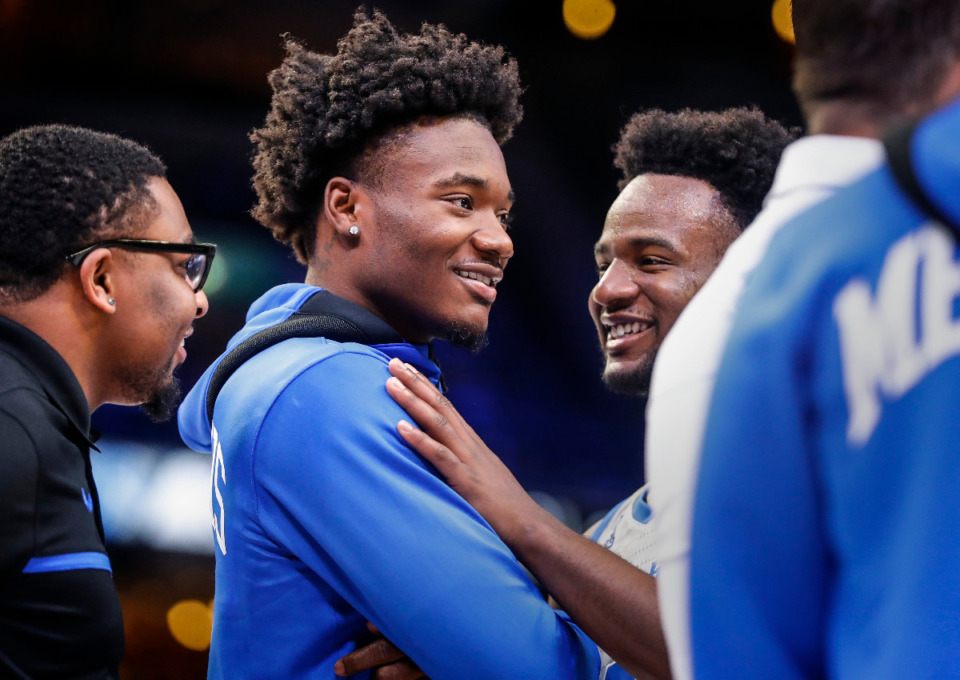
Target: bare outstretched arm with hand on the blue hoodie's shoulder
613,601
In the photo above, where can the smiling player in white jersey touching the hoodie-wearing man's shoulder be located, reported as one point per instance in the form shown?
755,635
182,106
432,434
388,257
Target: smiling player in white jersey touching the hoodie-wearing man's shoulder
692,181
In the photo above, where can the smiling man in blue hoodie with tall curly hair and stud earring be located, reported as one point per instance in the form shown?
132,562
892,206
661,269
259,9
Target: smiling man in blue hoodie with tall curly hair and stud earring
381,167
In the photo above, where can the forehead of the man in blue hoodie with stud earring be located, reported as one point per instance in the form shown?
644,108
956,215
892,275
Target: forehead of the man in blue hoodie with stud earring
435,149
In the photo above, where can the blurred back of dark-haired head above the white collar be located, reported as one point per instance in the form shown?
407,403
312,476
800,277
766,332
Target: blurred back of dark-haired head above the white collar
887,58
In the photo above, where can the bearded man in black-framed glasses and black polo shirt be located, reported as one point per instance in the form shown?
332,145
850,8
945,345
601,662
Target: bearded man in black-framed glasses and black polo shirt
100,282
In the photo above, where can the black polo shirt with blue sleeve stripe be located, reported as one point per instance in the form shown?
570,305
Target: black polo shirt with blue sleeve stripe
59,611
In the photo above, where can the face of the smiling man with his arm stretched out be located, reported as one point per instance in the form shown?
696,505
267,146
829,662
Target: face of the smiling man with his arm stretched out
663,237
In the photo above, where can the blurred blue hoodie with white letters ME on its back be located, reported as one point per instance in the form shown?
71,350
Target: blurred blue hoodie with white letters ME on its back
826,525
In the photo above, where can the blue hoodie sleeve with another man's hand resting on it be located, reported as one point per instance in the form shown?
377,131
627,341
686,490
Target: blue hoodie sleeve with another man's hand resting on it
339,487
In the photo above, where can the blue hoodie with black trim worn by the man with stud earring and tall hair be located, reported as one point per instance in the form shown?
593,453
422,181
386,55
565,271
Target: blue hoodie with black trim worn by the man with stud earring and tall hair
324,519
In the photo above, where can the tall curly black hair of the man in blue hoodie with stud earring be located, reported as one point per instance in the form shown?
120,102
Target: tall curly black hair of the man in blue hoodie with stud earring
328,109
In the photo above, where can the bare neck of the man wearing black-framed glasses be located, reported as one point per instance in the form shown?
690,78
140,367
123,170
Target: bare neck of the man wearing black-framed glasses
54,317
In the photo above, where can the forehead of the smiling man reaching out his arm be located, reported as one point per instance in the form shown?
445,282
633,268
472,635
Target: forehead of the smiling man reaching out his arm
680,211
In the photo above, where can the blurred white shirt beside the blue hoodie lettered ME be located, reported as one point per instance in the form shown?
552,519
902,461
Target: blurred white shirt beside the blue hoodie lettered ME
811,170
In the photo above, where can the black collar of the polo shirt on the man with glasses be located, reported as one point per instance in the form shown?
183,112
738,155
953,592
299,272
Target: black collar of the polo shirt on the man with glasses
50,371
